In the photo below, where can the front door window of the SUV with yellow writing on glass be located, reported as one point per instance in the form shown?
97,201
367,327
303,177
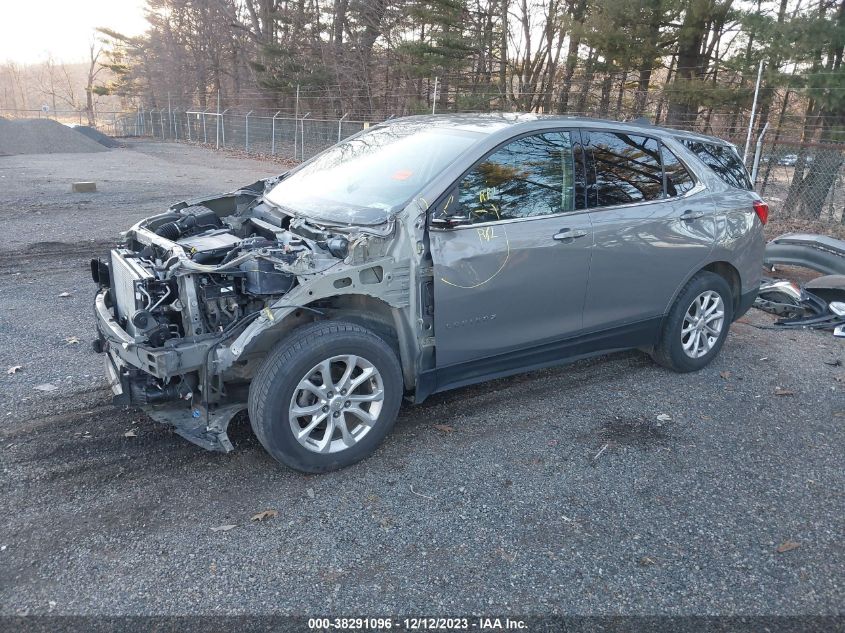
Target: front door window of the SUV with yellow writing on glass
531,176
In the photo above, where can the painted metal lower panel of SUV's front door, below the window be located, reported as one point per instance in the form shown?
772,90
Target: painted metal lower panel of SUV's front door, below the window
508,285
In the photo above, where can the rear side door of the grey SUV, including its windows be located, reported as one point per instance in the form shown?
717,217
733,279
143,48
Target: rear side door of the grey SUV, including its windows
651,228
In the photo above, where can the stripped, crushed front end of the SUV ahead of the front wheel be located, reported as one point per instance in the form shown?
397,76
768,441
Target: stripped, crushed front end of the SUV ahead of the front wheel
180,289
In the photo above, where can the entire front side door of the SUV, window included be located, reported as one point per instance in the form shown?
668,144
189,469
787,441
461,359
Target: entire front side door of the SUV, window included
511,268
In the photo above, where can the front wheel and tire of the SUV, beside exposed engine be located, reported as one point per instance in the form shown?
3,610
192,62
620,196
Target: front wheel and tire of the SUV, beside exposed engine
291,377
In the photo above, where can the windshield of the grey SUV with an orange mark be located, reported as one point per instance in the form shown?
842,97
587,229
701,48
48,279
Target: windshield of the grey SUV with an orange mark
364,179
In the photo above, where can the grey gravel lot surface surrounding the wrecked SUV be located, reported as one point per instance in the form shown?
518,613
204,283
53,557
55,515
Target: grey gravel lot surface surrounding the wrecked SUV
557,491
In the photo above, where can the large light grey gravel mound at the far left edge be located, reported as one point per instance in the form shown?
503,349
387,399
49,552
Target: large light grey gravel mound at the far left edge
43,136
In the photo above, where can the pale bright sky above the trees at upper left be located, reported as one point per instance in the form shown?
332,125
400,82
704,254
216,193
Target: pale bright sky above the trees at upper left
30,30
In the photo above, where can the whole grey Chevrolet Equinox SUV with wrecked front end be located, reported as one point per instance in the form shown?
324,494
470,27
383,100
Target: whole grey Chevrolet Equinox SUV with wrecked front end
421,255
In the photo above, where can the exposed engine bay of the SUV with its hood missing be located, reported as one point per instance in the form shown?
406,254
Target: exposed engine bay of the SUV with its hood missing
237,264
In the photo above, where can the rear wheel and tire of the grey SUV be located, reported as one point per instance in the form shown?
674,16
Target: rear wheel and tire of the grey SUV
681,324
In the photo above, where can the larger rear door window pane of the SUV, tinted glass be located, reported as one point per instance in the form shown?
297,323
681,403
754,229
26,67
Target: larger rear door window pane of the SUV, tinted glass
627,168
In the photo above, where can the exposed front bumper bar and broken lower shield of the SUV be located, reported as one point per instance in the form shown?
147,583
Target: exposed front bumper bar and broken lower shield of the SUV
201,425
